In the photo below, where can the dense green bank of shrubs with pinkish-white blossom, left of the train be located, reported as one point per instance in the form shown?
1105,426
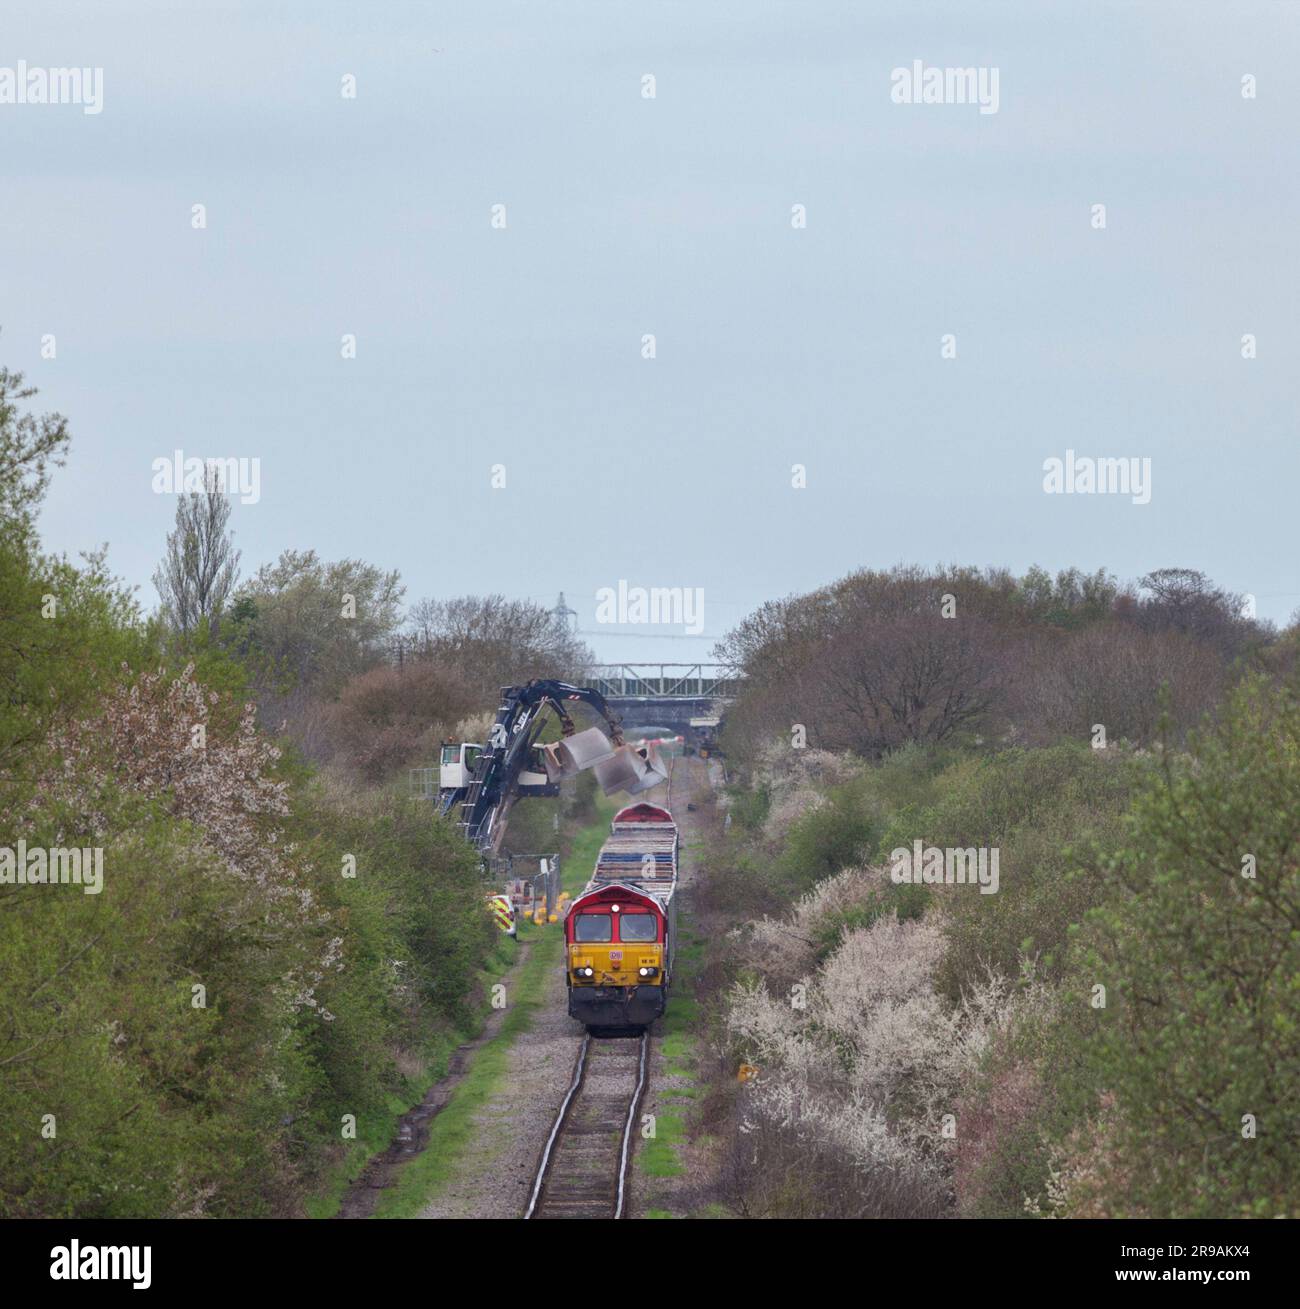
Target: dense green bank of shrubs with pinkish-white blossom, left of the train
225,1100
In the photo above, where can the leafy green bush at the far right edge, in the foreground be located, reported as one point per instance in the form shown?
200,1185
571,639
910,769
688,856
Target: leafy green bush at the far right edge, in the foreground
1202,969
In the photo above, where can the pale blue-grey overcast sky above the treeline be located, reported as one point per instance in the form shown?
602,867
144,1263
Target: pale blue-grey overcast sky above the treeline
672,217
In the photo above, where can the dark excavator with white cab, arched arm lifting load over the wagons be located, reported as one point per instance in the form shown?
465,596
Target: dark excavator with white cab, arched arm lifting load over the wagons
480,783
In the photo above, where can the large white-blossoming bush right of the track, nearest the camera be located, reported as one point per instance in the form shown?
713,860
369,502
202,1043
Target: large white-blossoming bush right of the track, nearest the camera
863,1052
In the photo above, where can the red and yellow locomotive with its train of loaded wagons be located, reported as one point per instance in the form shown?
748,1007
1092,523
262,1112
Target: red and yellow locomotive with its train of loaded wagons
621,934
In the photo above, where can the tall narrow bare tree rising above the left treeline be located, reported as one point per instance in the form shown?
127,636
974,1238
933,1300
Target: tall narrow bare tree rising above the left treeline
201,566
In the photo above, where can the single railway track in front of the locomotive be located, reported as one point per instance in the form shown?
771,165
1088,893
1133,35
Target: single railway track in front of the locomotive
585,1167
